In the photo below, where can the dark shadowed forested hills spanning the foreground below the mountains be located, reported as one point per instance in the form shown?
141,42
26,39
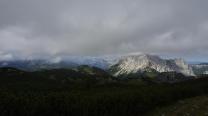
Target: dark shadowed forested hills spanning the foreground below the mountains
87,91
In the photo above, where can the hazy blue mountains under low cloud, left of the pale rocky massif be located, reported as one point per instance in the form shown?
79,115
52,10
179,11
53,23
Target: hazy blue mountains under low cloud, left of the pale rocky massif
55,63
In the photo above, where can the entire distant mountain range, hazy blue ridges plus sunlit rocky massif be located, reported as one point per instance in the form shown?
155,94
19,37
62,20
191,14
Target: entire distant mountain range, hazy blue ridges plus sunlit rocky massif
116,65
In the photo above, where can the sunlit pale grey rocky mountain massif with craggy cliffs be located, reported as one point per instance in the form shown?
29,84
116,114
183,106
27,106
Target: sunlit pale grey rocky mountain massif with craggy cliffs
144,62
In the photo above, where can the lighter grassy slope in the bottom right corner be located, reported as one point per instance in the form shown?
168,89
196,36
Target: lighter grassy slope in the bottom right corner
197,106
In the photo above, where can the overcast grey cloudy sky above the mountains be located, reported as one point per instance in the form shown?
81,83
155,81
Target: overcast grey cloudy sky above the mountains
40,28
